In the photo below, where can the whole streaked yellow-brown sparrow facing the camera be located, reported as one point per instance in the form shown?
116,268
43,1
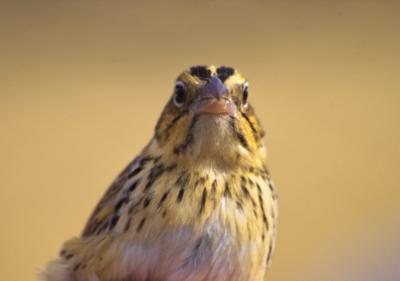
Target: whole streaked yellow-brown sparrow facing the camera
197,204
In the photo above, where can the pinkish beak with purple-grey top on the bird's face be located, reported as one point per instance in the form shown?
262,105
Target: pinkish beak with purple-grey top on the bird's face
214,98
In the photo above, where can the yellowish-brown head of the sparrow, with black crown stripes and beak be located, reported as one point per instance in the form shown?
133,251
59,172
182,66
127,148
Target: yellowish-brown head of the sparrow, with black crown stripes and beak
209,116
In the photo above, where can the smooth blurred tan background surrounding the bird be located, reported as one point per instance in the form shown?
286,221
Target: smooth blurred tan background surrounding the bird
83,82
